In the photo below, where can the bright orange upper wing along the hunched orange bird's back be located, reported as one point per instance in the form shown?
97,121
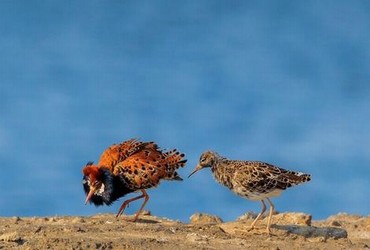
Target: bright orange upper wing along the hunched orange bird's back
119,152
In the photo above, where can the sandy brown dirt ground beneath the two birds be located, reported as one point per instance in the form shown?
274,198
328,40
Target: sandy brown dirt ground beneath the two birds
105,231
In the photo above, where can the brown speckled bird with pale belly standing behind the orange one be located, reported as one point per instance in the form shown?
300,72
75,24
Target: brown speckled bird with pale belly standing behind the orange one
254,180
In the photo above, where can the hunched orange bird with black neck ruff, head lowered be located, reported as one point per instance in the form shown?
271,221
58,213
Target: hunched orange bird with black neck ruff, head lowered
127,167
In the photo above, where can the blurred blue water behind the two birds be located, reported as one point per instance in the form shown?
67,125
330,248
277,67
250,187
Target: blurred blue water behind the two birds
283,82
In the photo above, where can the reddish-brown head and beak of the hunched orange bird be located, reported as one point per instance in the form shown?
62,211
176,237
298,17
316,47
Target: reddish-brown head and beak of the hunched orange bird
93,182
